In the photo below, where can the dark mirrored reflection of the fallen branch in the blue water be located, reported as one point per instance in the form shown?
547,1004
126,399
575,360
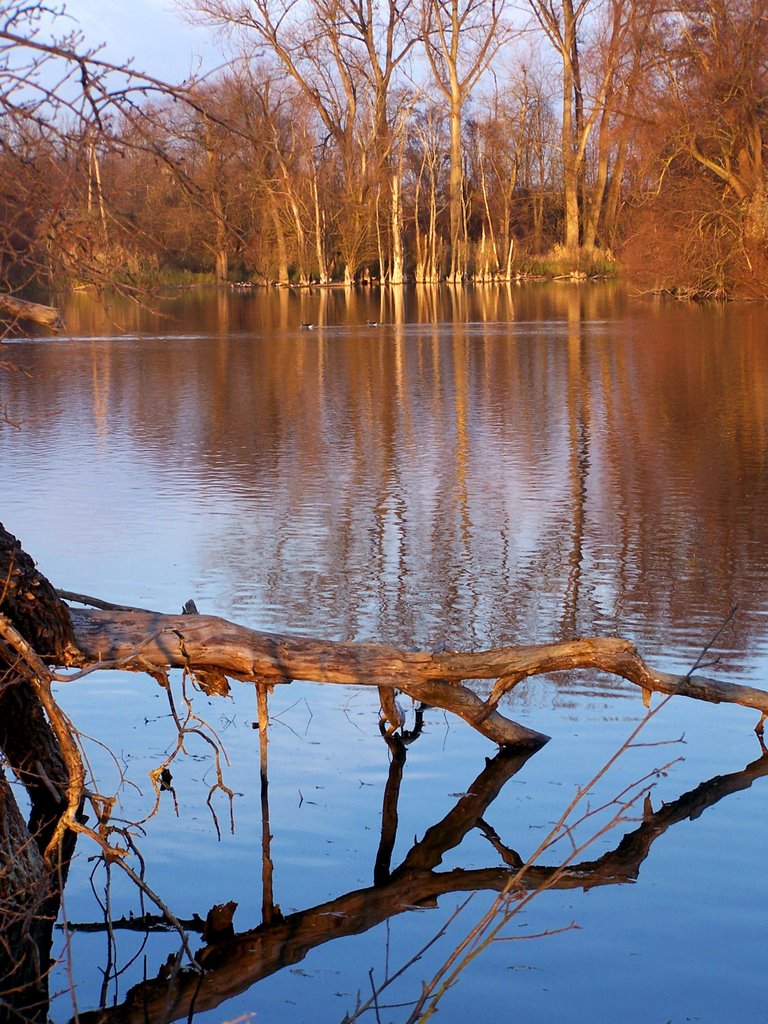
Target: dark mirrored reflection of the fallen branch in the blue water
235,963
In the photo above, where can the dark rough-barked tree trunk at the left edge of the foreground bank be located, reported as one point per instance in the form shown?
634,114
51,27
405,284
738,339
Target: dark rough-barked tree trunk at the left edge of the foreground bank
29,888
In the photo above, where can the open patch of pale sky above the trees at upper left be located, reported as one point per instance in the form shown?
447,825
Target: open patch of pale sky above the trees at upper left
153,32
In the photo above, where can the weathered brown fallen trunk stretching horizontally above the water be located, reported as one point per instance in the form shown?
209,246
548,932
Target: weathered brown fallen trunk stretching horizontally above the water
149,641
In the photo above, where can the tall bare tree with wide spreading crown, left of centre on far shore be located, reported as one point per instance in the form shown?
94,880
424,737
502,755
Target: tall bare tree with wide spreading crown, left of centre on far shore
343,56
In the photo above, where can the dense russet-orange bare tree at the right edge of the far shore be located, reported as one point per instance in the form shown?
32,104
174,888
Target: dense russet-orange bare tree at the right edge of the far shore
699,220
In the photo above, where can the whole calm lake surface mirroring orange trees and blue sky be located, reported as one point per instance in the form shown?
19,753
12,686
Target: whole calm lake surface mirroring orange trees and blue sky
433,467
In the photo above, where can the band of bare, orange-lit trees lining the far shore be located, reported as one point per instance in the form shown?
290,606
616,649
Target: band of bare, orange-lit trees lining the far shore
397,141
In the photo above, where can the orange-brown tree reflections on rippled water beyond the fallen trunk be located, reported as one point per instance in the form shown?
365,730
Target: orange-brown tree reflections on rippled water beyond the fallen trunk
485,466
